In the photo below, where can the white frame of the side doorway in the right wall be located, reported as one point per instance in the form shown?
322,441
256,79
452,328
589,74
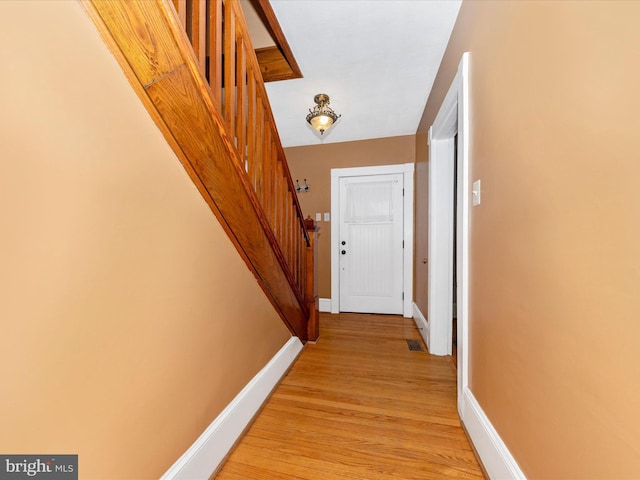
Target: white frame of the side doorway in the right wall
452,118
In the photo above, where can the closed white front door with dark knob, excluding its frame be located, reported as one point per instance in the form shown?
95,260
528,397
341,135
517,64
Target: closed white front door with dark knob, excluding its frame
371,244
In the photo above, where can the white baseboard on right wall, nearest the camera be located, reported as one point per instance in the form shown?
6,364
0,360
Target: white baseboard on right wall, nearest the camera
495,456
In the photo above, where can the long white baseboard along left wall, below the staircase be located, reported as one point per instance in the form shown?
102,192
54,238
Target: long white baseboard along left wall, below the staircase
210,449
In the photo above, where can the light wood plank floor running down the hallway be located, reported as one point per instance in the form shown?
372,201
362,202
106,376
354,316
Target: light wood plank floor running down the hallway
359,405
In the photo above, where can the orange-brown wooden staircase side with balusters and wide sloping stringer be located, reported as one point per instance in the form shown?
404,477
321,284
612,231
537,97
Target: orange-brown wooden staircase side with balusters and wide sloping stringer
192,64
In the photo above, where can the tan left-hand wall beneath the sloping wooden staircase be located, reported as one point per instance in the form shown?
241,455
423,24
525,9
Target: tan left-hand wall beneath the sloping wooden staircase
128,321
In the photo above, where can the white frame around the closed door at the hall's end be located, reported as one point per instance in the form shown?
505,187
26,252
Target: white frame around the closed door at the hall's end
336,173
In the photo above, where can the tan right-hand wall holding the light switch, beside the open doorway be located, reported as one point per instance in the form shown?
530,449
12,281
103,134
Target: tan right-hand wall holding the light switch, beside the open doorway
555,263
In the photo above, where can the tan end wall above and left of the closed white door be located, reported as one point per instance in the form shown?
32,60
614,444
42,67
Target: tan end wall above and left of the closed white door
315,163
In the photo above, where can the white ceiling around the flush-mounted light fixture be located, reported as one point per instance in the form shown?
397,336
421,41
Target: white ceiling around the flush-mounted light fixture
376,59
